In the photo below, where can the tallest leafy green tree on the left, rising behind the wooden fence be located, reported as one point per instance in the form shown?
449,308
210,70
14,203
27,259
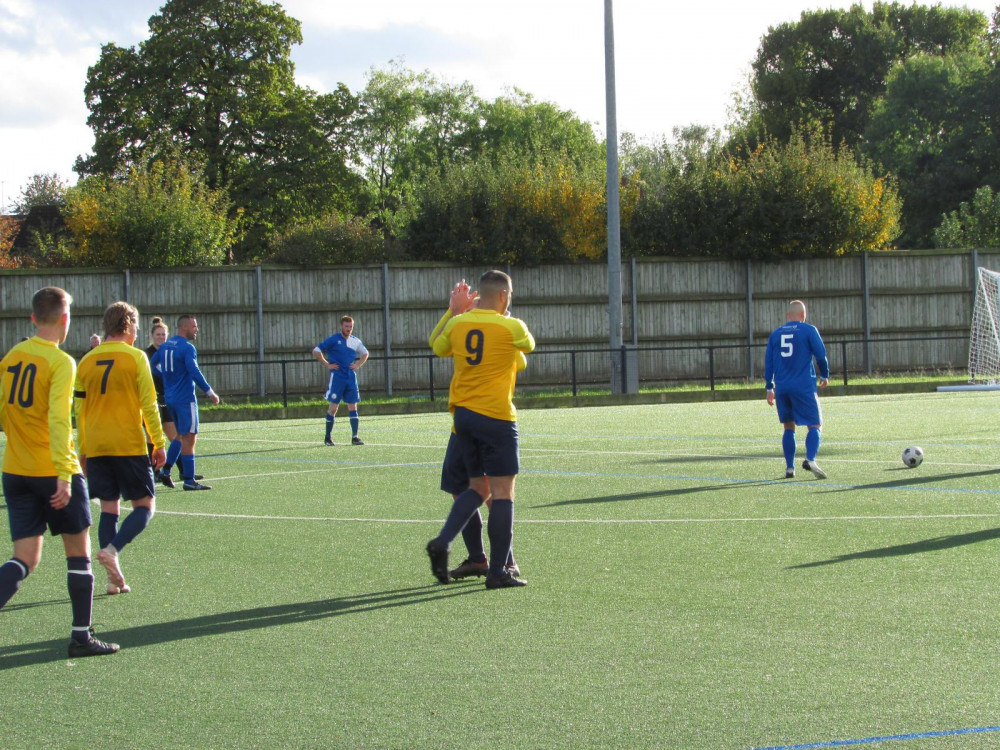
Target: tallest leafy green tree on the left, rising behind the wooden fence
216,81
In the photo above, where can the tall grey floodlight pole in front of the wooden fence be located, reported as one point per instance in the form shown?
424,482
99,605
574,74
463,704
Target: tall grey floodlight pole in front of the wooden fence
614,220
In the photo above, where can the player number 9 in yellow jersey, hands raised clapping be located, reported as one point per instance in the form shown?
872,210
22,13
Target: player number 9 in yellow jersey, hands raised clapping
487,347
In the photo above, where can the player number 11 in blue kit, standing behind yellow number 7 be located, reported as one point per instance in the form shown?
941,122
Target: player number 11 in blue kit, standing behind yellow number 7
176,362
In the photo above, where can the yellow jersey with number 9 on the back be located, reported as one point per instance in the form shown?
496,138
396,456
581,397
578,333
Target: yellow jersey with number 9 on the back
488,351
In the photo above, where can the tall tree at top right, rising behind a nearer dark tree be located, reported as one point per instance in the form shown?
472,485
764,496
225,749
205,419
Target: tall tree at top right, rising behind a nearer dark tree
831,66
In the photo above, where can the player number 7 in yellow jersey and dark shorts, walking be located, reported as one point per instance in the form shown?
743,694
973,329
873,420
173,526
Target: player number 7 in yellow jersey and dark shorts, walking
115,397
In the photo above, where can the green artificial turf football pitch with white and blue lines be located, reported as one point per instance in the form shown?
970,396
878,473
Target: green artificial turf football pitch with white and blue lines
682,594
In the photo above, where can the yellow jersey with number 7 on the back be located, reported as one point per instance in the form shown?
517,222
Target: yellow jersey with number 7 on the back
115,395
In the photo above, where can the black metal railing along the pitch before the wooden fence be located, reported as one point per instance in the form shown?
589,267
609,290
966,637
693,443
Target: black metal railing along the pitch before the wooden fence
629,359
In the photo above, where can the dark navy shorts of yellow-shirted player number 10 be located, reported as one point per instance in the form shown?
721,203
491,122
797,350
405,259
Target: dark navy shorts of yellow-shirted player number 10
29,511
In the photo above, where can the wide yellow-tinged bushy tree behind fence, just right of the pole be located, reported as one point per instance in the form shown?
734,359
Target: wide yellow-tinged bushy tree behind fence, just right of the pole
771,201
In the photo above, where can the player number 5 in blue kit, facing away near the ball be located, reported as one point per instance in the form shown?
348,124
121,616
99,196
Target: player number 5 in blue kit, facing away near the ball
790,377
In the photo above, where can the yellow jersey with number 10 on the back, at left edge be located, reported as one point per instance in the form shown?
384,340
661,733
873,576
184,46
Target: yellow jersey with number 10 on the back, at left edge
36,404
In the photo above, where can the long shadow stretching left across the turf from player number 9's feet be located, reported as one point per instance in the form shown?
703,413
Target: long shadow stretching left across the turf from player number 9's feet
221,623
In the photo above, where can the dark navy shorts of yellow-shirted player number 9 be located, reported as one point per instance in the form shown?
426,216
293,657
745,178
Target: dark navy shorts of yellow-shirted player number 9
481,446
